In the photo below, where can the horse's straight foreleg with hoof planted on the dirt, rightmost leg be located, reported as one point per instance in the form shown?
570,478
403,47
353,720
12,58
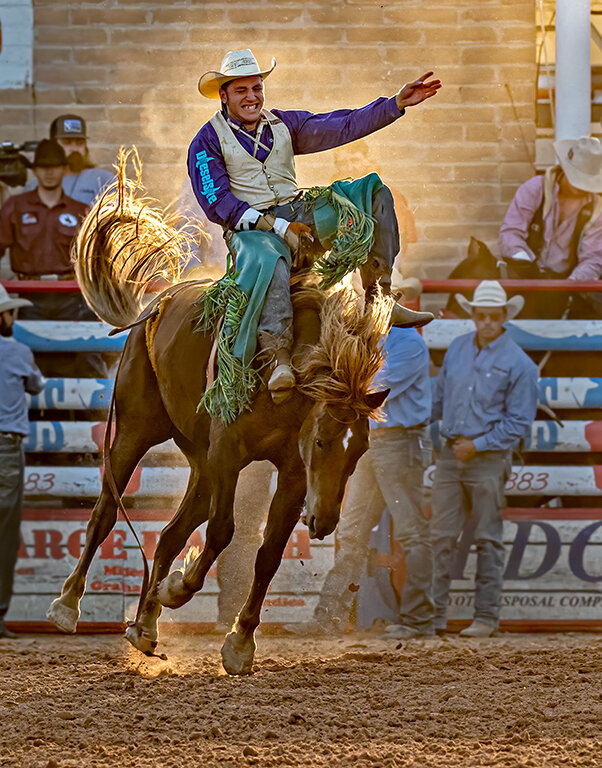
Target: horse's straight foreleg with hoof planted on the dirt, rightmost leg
239,647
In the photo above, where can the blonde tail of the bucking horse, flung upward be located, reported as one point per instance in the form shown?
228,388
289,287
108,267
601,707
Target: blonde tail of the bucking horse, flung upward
125,242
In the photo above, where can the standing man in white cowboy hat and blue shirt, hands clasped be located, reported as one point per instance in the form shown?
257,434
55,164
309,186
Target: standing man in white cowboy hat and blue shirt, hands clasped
486,396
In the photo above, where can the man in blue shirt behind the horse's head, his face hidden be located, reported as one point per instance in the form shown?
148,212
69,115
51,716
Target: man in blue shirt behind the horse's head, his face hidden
390,474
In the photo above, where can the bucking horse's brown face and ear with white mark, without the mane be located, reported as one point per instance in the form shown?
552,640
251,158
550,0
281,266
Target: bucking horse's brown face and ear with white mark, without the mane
332,439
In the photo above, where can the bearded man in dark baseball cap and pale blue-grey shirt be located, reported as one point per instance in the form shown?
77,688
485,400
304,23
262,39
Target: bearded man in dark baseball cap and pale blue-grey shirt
82,180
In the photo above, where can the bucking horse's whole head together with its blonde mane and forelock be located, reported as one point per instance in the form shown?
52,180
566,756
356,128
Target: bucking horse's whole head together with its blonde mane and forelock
337,372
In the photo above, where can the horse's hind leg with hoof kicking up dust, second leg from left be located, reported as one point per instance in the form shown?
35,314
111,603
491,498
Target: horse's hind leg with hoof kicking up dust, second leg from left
193,510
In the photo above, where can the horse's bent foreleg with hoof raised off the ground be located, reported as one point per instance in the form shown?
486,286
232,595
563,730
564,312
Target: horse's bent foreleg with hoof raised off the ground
181,585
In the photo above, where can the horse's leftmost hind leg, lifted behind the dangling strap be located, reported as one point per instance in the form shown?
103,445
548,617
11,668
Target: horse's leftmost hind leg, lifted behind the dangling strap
64,612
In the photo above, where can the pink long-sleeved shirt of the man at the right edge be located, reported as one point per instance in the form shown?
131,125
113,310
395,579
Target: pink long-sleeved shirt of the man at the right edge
557,237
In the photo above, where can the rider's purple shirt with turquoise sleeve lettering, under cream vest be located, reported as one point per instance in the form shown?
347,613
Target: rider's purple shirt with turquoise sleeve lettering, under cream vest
309,133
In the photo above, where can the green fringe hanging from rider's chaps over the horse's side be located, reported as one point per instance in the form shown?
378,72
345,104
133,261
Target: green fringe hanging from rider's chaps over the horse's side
231,392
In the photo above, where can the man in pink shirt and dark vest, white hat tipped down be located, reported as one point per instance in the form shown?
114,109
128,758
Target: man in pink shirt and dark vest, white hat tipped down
553,226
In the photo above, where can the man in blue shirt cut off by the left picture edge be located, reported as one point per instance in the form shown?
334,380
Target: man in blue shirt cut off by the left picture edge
18,375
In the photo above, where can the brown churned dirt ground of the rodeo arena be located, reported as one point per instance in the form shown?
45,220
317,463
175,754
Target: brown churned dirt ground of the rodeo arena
68,702
